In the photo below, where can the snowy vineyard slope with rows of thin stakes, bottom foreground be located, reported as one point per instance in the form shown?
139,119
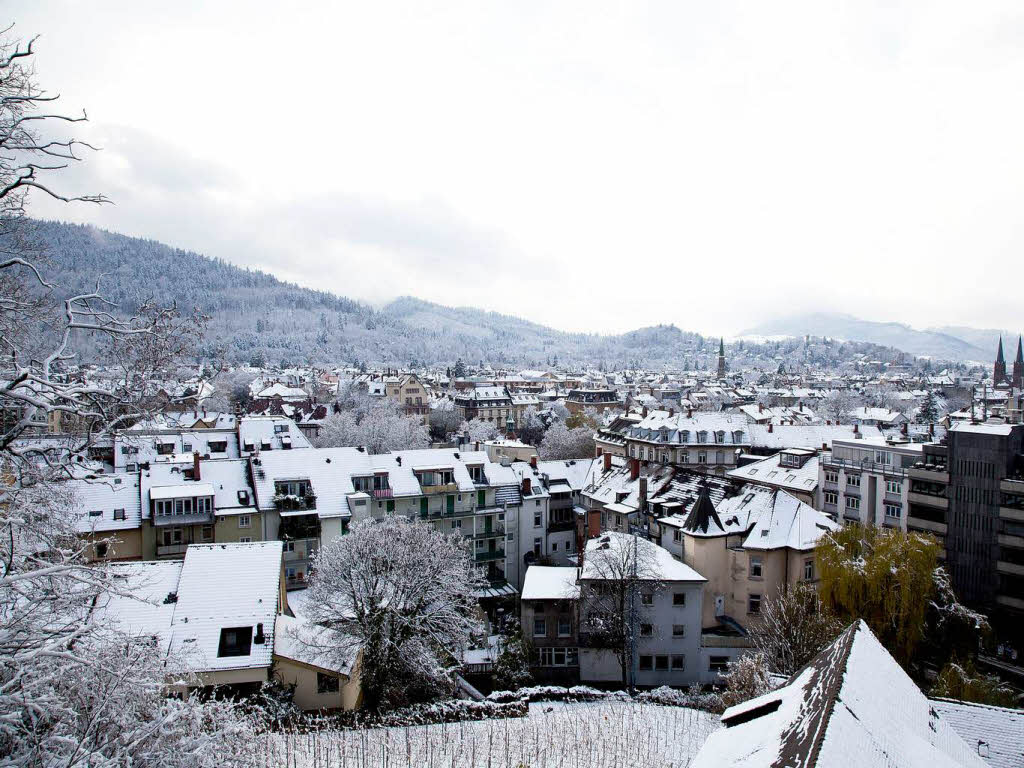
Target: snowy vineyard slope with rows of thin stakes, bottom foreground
556,735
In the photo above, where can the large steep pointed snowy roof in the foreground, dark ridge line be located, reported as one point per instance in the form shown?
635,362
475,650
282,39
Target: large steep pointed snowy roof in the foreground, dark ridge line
852,707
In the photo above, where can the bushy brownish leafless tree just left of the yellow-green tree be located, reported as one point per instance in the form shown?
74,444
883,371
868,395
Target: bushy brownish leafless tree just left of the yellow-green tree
794,627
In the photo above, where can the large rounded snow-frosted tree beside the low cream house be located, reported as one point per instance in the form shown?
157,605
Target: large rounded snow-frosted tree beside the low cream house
402,596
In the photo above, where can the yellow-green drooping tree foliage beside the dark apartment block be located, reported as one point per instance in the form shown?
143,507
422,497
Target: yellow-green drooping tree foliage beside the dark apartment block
883,576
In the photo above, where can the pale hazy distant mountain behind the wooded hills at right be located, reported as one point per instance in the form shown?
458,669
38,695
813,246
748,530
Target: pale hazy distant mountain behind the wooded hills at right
933,344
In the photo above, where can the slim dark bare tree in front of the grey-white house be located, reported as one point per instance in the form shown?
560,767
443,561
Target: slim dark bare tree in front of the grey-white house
618,571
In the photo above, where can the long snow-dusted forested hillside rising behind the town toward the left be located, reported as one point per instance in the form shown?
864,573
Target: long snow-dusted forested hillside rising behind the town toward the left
255,318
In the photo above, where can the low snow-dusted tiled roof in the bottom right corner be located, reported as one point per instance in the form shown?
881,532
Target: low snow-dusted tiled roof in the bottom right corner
998,732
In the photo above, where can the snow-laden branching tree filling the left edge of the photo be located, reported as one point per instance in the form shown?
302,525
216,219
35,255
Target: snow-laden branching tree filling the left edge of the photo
73,691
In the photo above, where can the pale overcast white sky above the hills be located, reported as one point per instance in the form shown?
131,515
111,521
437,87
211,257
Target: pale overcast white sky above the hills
591,166
